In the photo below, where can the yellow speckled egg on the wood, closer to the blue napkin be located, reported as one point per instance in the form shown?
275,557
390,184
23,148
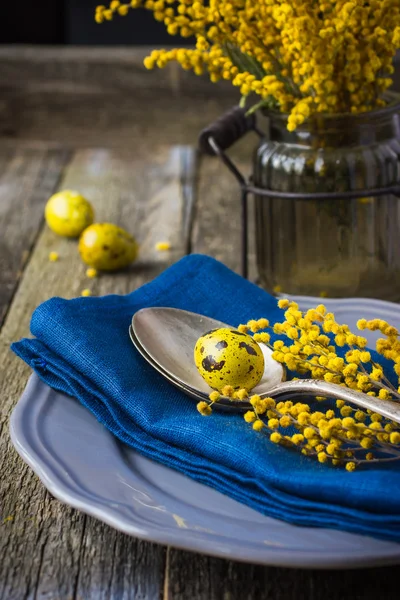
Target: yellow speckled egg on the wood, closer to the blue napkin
107,247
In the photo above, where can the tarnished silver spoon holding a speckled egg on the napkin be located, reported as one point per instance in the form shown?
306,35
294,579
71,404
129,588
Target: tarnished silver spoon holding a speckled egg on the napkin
166,338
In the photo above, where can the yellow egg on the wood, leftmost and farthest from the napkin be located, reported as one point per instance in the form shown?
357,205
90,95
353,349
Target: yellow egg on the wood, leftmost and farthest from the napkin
68,213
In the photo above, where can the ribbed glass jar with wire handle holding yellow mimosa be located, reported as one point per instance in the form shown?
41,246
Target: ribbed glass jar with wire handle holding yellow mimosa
330,248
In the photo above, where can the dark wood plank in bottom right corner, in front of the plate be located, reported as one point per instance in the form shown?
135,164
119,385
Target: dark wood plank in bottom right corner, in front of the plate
205,578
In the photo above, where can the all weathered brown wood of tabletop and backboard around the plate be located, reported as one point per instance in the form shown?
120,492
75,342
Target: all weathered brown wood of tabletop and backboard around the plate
96,121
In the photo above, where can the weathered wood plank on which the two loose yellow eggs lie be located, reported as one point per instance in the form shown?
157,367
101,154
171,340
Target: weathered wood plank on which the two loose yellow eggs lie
48,550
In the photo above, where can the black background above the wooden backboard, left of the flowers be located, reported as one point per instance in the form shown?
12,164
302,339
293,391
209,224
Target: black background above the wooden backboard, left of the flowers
72,22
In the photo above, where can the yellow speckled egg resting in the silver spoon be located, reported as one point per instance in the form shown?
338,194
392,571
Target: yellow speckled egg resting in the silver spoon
228,357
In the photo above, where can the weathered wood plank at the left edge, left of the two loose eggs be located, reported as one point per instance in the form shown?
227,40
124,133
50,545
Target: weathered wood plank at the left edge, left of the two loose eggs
27,178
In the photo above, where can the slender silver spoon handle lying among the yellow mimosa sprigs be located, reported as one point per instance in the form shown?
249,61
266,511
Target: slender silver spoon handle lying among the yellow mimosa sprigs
386,408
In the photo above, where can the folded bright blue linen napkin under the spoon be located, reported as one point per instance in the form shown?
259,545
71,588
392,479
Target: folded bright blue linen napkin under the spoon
82,348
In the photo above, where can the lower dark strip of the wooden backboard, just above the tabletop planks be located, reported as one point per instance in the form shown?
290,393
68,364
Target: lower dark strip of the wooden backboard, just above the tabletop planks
87,120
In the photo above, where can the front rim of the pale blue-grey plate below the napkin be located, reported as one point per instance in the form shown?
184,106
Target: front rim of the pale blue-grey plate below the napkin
270,556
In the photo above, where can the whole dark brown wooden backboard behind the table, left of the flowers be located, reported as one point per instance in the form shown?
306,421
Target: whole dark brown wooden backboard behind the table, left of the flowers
94,96
